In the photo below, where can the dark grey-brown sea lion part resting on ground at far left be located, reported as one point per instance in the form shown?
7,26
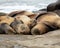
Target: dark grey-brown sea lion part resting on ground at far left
6,29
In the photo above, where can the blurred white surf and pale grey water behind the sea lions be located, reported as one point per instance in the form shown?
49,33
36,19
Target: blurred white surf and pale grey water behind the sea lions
30,5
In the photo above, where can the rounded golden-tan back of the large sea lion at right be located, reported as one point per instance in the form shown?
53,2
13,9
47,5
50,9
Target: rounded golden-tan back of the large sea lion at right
50,17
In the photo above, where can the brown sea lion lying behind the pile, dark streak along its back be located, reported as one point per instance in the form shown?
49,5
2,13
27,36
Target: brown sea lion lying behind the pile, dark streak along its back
27,13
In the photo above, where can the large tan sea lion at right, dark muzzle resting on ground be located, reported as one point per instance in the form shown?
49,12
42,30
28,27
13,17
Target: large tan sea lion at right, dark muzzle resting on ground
45,23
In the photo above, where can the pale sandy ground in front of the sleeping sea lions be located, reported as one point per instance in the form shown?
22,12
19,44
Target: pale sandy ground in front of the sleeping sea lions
48,40
